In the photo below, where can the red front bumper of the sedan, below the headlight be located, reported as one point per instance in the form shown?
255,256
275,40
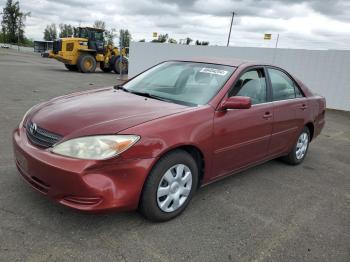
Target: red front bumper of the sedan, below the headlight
89,185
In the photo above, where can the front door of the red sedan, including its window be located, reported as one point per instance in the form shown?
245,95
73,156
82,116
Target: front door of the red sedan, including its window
242,136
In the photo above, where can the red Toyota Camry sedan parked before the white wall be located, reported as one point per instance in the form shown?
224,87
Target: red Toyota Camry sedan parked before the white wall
151,142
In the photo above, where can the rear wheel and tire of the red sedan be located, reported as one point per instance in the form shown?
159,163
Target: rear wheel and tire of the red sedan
299,151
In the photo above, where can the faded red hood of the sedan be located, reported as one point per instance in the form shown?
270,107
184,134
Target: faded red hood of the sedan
101,111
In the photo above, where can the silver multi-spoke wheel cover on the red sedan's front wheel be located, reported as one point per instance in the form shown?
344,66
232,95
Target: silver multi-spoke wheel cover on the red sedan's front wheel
174,188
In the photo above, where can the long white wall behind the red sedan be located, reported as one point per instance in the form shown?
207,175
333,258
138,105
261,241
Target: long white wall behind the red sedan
326,72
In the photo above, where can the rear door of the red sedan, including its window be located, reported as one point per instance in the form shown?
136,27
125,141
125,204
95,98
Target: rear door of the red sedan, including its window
289,108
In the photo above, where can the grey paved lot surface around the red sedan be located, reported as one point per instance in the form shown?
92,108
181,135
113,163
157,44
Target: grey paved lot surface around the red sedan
272,212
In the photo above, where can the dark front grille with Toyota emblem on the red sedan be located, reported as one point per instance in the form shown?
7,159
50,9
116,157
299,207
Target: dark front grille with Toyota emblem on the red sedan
41,137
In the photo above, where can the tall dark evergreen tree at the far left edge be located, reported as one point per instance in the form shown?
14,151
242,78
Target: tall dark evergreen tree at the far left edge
13,22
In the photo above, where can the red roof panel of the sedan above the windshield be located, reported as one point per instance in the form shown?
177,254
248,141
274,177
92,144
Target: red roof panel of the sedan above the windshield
223,61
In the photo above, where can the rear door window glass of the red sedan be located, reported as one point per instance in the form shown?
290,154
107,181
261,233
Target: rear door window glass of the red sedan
283,87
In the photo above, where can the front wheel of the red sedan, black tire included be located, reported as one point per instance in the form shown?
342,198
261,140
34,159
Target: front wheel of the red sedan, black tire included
167,191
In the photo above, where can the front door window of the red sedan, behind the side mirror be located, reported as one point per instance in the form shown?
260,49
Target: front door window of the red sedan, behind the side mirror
251,84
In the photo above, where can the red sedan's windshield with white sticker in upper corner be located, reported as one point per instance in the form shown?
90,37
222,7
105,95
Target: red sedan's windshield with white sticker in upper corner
187,83
